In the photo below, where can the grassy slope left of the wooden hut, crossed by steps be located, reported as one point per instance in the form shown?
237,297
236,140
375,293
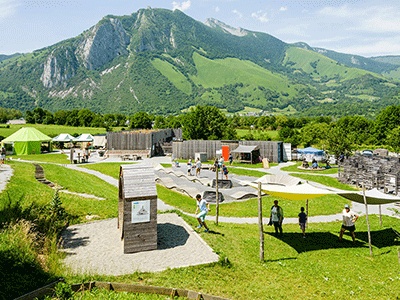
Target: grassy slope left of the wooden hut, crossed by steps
23,185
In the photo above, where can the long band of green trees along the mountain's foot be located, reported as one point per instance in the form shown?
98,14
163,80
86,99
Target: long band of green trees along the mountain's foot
208,122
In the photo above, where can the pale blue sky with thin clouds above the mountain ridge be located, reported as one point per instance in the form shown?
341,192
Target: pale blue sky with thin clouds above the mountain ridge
367,28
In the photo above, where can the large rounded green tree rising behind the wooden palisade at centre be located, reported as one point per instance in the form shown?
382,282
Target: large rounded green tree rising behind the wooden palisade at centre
205,123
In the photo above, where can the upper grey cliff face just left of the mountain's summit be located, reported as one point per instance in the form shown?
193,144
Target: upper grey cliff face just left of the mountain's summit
102,43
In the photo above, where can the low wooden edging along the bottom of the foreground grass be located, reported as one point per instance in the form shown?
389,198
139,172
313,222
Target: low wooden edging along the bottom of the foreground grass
121,287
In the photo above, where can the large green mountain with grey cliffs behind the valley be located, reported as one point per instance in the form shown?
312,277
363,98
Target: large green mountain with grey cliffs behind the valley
163,62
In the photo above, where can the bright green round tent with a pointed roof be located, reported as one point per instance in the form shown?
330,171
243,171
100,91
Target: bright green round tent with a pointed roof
27,140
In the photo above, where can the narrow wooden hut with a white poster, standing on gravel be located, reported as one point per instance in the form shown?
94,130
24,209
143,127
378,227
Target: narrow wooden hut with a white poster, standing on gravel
137,208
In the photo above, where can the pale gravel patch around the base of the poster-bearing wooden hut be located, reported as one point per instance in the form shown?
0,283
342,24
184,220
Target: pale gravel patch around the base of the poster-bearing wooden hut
96,248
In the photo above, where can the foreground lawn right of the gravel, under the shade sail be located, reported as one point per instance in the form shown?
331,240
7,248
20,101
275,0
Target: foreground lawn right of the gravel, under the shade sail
293,267
